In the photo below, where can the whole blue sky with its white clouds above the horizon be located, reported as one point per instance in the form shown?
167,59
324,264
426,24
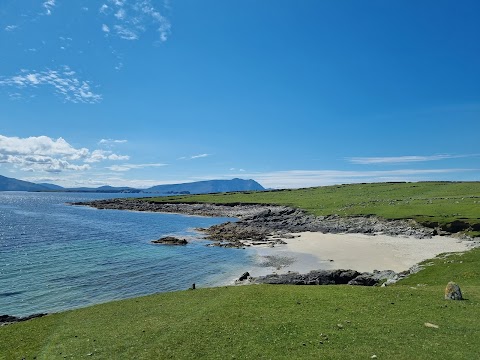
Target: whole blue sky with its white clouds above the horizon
288,93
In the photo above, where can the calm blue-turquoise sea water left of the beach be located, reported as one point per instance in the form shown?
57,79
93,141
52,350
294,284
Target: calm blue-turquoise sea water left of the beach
55,256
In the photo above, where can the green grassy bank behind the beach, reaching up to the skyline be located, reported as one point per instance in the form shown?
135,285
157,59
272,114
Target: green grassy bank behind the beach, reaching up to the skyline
452,206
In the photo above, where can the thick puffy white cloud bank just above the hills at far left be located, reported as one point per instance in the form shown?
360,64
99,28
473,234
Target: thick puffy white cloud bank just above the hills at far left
50,155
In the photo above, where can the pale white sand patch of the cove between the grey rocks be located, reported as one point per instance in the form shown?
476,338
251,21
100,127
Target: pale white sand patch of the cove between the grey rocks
313,251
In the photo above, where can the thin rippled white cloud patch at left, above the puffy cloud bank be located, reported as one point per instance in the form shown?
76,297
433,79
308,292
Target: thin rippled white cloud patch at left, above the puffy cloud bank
63,81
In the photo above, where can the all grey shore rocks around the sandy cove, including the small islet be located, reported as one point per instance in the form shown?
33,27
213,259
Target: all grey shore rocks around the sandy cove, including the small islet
269,225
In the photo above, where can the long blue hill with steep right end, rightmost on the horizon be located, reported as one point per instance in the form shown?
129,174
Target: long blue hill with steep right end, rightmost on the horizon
209,186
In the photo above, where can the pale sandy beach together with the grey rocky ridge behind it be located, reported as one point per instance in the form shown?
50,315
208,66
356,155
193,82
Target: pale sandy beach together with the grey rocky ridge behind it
289,239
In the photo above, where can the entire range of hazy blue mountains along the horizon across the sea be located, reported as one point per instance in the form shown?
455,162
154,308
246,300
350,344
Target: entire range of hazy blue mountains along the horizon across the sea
198,187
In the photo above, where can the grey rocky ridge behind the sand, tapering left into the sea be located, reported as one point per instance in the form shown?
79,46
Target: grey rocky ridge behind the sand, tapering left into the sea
268,224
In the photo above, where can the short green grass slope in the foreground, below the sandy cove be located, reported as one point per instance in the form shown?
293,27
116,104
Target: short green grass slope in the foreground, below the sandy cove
410,320
